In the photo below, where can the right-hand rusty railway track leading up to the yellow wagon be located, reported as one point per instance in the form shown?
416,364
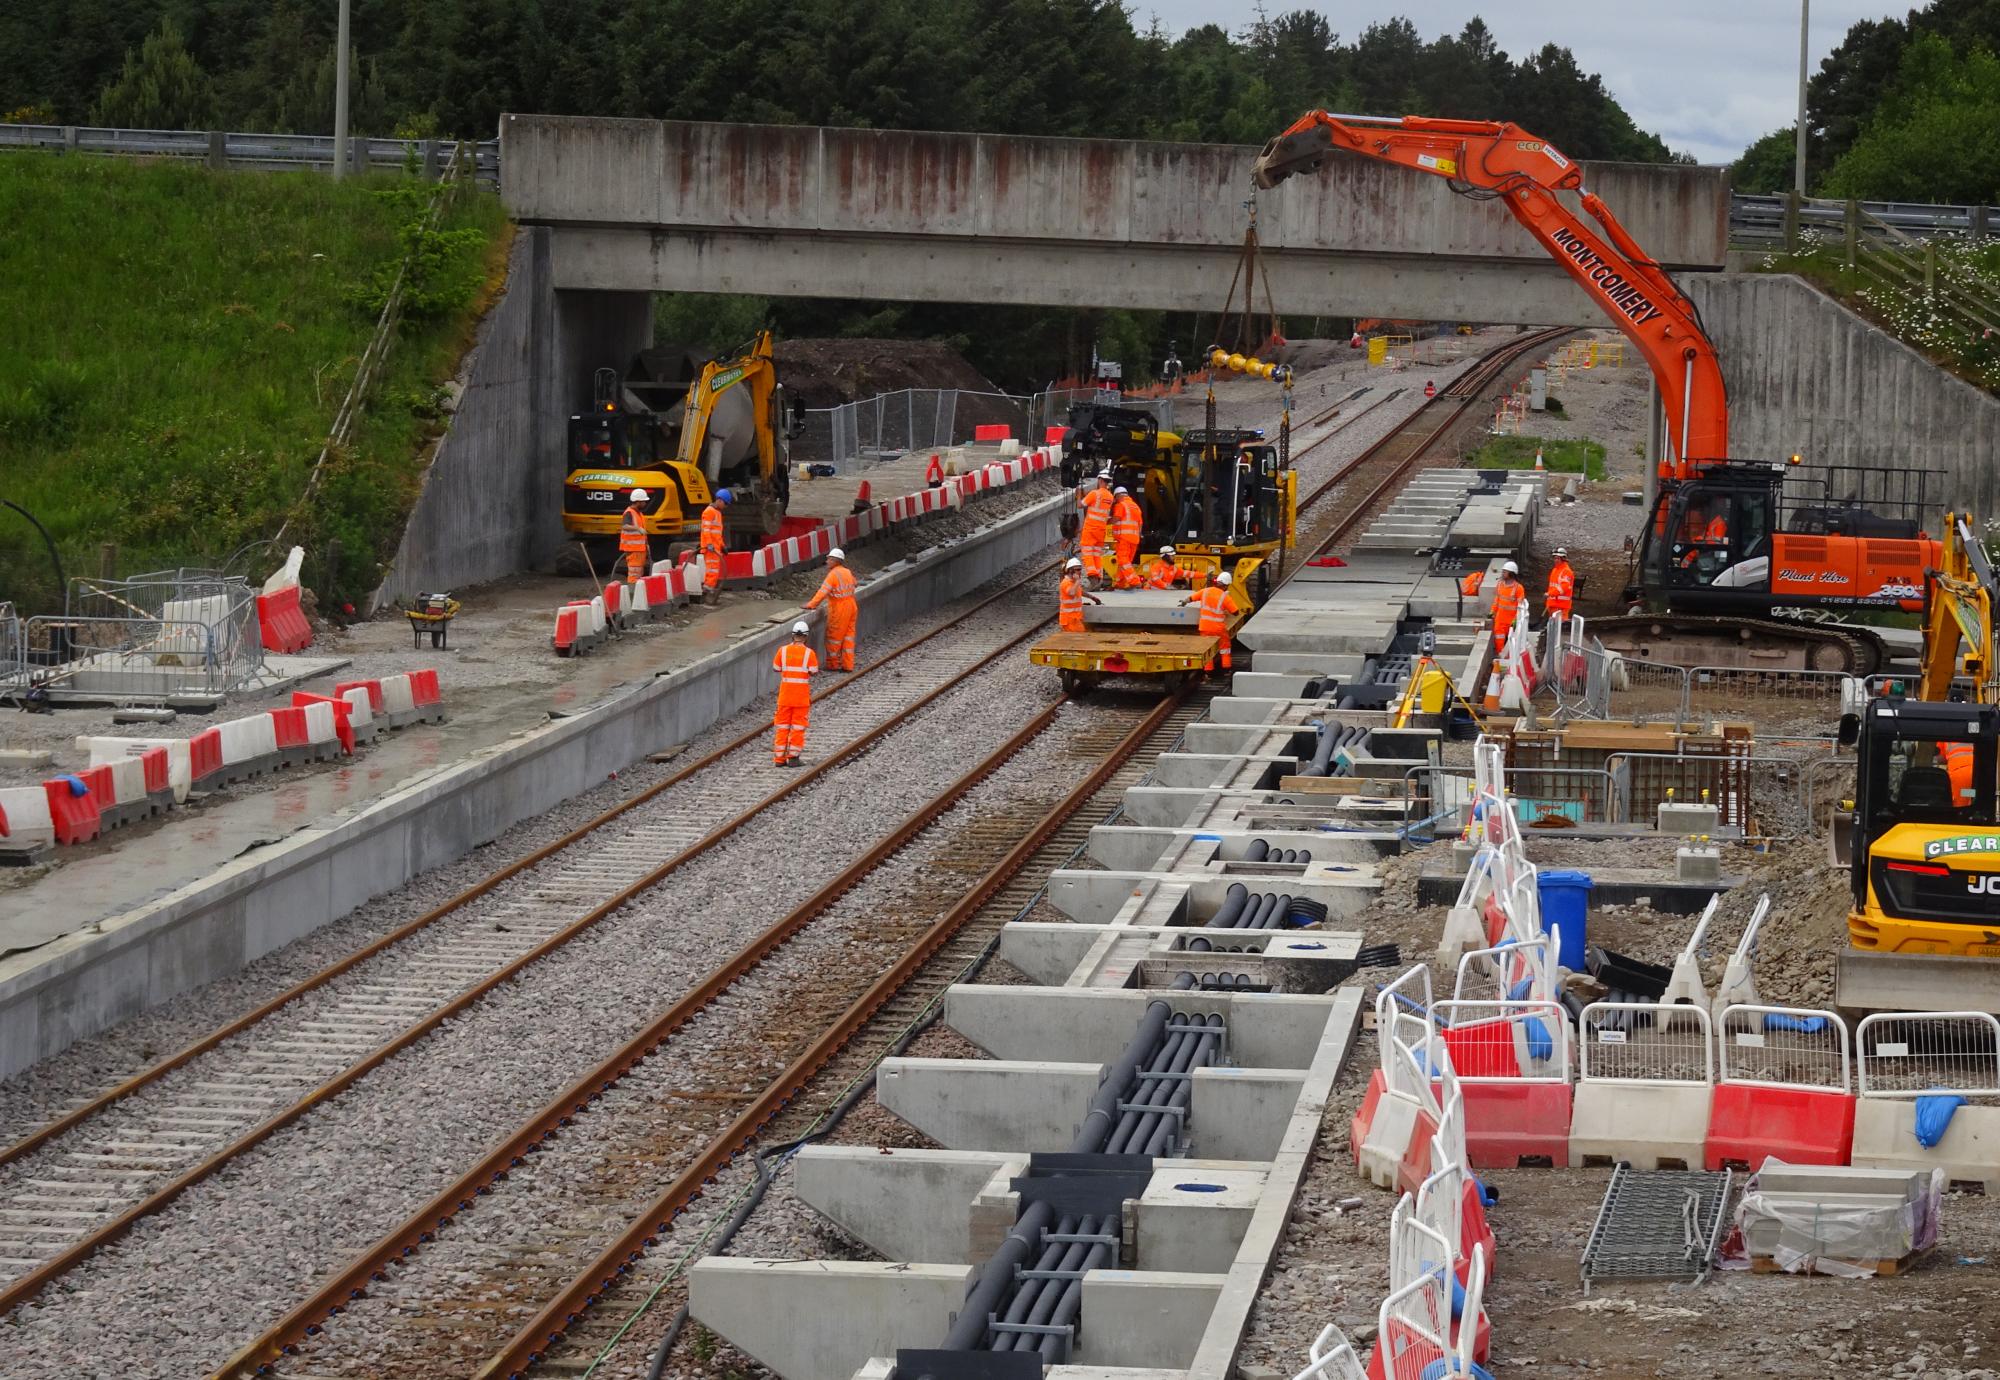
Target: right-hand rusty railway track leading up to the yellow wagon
577,1189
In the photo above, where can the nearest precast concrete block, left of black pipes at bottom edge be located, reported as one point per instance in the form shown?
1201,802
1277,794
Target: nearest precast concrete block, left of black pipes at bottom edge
823,1319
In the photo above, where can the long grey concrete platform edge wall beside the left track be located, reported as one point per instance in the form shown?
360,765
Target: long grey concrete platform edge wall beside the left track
123,965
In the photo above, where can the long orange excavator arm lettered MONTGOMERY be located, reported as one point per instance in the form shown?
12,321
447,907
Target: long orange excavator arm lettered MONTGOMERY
1503,161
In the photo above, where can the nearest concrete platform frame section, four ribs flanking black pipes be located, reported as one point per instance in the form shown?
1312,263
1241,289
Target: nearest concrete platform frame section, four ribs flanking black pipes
1197,1233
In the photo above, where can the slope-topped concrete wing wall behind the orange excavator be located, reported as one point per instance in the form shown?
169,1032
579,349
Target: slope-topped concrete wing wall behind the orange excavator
1809,377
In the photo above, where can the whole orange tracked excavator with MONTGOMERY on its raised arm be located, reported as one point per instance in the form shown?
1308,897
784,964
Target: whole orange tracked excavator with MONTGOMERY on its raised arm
1733,545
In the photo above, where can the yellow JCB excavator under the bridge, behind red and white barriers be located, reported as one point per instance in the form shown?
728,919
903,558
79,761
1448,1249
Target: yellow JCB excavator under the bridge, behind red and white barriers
733,431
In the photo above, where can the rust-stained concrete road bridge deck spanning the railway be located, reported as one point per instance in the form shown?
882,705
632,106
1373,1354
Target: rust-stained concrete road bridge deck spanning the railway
927,217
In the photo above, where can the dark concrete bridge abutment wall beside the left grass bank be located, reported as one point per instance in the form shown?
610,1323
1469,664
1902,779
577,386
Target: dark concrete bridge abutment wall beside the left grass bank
493,495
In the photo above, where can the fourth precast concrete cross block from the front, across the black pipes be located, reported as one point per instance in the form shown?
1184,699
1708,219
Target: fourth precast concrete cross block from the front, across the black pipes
1017,1023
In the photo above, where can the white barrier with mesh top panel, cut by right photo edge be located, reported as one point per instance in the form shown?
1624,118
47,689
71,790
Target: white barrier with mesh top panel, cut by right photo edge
1907,1057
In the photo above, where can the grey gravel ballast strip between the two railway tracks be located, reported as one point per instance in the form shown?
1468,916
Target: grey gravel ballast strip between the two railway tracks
201,1279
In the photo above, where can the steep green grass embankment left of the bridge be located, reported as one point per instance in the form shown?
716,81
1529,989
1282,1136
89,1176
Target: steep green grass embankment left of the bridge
177,345
